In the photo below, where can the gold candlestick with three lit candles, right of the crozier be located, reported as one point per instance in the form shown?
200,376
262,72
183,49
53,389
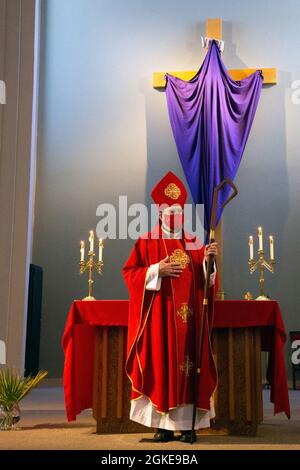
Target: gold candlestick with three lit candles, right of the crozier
262,264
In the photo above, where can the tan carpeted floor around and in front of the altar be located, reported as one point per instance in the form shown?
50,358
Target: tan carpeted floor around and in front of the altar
43,425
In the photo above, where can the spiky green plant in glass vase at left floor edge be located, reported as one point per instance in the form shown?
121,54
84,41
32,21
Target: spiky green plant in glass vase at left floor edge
13,388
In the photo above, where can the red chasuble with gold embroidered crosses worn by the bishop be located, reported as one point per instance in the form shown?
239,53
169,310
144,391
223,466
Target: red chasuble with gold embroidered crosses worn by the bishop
163,326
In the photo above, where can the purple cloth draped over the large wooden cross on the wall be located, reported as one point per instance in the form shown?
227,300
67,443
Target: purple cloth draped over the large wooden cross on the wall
211,117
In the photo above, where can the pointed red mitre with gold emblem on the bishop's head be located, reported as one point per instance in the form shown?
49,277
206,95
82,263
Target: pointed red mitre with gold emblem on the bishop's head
169,190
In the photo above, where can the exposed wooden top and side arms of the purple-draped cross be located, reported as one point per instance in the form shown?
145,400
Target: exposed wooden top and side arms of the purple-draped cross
214,30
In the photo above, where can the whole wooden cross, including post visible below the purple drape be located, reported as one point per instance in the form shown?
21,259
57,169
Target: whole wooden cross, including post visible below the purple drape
214,31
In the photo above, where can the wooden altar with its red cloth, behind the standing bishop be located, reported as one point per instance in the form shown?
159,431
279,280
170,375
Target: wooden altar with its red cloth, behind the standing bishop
94,344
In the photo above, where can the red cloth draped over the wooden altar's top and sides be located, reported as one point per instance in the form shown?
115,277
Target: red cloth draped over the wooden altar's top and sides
84,316
